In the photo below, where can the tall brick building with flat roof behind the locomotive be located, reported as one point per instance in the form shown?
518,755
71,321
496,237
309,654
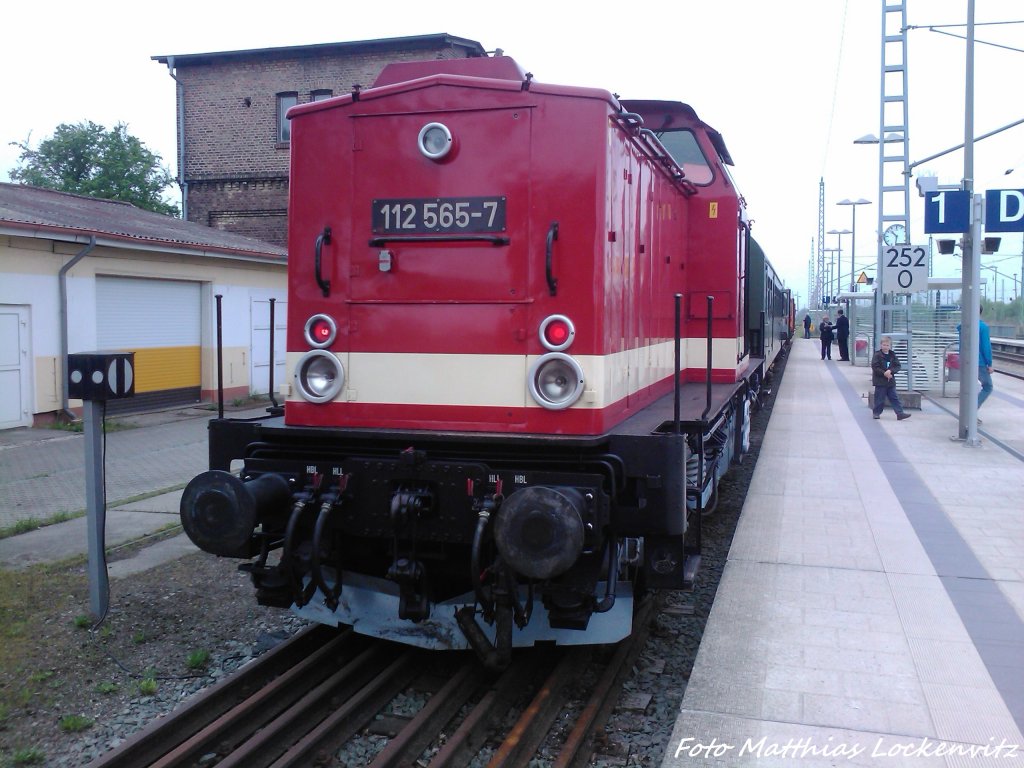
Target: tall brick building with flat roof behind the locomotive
233,135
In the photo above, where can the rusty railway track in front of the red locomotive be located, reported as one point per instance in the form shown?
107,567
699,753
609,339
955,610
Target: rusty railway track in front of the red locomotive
302,703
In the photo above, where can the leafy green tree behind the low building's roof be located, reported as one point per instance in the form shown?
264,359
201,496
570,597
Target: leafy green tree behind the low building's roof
87,159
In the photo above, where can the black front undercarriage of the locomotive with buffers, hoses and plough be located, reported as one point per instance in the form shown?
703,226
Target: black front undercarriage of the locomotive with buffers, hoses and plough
421,545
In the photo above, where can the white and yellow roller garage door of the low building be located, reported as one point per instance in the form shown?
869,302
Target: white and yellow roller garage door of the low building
161,322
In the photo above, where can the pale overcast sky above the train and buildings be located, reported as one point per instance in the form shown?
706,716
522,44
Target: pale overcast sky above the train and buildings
790,86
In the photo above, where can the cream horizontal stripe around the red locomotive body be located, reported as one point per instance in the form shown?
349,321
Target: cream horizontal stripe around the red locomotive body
500,380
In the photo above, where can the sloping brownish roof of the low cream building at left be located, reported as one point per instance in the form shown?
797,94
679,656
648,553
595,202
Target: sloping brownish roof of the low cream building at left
31,211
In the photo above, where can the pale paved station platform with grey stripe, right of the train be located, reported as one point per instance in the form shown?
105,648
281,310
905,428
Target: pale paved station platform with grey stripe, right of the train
872,610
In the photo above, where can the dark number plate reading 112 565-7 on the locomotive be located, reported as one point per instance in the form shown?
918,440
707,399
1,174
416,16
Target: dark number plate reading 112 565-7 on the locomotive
439,216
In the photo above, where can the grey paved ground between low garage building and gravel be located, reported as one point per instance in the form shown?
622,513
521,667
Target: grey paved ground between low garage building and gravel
42,475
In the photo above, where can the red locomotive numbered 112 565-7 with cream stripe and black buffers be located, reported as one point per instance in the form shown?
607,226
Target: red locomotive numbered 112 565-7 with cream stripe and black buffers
526,326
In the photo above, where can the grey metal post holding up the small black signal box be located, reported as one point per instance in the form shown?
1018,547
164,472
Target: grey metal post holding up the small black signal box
96,507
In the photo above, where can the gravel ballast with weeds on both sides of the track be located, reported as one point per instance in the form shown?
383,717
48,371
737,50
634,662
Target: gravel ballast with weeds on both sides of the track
70,693
